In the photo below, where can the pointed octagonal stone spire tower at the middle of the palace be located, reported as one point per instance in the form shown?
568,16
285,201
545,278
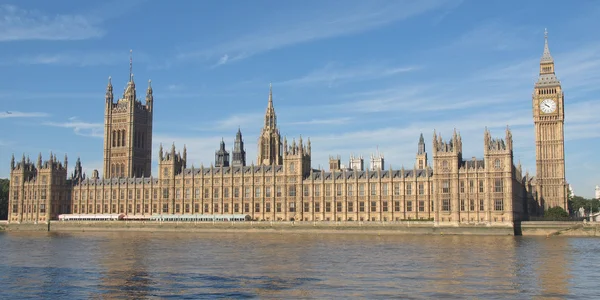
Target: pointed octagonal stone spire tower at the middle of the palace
269,142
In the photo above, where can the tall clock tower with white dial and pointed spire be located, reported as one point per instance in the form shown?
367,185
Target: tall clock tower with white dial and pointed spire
548,119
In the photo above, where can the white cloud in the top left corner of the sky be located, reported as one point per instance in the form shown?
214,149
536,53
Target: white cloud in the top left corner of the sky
19,24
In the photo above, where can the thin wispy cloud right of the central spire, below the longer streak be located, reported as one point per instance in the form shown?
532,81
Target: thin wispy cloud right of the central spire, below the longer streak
333,74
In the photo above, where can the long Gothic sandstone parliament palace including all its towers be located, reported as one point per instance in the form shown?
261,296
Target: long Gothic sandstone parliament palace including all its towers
443,185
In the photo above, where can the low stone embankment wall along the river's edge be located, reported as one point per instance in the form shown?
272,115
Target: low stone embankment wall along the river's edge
422,228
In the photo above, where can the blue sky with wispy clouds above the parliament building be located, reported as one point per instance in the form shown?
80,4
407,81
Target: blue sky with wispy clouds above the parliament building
353,76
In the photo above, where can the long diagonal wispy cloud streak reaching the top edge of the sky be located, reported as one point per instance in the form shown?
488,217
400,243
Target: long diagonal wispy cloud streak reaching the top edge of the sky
342,21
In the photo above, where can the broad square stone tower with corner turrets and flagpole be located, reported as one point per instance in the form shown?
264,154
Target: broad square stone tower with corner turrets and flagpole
128,132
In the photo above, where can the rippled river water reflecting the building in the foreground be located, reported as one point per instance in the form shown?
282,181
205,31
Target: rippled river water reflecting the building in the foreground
137,265
